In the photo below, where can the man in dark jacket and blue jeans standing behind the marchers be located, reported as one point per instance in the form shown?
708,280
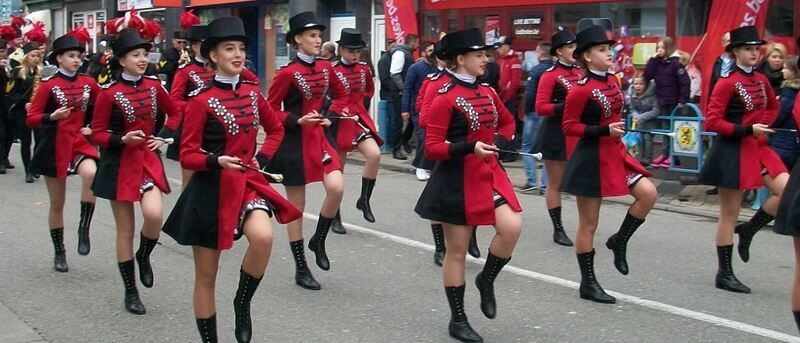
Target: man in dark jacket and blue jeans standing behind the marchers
530,127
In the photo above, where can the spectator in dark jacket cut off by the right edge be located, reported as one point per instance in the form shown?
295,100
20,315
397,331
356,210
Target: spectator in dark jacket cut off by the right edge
784,142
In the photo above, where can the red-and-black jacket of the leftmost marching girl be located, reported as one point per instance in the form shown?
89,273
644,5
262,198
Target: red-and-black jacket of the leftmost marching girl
61,141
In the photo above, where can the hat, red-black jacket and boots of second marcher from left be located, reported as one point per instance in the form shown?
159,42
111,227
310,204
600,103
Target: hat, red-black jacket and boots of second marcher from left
126,172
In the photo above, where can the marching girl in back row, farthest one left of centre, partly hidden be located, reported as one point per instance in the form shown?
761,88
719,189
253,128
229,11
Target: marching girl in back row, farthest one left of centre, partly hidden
359,134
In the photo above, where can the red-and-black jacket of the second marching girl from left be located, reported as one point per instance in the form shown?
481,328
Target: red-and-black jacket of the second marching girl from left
123,106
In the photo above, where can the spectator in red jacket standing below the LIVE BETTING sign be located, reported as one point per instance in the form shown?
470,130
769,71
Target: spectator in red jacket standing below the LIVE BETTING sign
510,81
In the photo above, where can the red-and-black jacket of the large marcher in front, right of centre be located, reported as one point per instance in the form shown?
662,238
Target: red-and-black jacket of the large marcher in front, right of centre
462,187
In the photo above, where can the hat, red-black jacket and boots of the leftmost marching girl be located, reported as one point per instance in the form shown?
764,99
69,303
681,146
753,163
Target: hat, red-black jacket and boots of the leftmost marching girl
62,147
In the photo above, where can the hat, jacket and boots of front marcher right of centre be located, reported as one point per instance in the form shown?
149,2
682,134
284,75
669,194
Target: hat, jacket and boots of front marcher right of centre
465,189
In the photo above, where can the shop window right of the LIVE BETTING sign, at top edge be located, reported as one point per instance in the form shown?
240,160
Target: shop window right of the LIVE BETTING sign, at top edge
632,18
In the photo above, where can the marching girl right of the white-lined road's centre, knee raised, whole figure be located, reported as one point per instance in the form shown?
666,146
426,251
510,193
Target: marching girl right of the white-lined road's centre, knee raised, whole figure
600,166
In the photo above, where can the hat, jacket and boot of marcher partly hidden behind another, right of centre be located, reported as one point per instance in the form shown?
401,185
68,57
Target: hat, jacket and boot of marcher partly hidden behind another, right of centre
550,141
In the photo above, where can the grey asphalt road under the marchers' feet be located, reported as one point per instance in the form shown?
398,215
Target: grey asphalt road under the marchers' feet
383,285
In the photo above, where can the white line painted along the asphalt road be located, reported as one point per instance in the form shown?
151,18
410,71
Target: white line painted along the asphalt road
655,305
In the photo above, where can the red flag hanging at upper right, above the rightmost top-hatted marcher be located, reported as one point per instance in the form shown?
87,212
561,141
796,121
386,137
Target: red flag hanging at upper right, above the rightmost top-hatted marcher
724,16
